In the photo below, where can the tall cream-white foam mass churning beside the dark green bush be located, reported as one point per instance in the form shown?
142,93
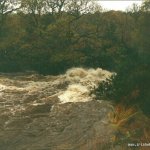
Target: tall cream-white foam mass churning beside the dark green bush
81,82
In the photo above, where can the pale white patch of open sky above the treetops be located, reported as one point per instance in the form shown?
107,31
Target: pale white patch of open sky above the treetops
118,4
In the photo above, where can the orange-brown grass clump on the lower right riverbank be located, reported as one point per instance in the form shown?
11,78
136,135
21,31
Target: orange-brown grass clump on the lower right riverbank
131,126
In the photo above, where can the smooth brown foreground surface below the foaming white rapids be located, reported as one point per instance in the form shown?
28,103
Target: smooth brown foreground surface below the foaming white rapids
64,126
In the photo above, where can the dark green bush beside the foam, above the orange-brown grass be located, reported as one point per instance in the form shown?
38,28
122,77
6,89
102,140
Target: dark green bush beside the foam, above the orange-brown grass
130,86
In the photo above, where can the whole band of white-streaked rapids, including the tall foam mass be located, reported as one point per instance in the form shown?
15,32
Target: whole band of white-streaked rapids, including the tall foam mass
18,92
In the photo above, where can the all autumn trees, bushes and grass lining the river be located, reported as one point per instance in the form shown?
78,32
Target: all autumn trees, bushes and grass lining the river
51,36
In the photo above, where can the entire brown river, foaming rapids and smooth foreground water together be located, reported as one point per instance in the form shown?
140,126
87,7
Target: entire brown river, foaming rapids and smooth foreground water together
52,112
